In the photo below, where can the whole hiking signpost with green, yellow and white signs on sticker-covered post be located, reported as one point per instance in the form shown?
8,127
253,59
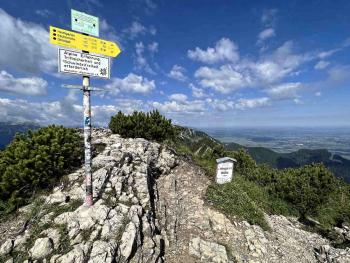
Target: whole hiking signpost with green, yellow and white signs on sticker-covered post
85,64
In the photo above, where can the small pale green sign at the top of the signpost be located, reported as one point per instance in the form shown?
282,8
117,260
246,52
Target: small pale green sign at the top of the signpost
85,23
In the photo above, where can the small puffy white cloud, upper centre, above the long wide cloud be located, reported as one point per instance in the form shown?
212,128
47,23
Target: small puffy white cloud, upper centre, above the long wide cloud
224,50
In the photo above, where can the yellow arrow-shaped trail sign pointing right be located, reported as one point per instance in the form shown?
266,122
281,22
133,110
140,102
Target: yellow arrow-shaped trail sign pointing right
70,39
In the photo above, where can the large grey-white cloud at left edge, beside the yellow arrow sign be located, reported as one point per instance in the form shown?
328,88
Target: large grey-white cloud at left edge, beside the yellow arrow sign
25,46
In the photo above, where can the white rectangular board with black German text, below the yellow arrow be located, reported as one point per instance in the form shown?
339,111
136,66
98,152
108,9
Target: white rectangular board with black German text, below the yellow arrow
73,62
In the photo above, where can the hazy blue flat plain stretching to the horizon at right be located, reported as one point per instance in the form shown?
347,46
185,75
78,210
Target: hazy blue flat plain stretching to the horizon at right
336,140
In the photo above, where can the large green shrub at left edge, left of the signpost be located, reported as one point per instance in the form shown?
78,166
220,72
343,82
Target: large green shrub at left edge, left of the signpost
36,160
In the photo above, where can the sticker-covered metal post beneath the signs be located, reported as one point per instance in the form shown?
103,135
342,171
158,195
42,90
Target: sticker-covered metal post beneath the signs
87,140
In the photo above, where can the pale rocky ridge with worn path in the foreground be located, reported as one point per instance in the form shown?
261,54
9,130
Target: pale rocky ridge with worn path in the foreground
149,207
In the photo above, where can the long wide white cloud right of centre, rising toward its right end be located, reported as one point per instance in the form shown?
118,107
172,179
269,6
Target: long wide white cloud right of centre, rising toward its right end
269,70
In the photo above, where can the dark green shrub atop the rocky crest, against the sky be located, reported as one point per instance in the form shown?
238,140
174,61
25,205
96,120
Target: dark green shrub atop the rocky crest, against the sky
151,126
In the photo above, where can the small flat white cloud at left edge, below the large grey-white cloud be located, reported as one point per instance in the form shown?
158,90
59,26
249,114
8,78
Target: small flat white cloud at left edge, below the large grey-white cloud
26,86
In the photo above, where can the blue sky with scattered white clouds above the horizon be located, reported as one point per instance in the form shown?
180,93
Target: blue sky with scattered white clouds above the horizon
201,63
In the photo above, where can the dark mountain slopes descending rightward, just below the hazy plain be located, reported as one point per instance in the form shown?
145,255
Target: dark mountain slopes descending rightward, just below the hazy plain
201,143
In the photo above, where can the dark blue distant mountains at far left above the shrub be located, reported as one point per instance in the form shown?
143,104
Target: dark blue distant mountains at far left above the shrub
9,130
